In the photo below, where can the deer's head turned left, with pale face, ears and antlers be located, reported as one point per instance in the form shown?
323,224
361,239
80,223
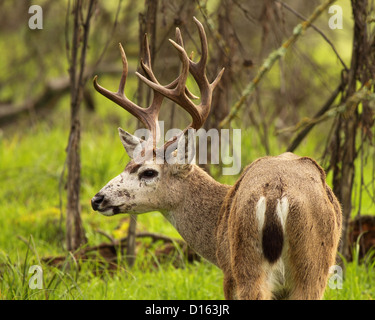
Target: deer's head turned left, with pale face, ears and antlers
149,179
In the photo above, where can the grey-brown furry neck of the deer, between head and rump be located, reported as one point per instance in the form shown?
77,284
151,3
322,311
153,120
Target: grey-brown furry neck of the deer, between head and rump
196,216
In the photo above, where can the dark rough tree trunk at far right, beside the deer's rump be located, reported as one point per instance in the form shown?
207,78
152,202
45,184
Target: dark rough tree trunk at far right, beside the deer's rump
344,144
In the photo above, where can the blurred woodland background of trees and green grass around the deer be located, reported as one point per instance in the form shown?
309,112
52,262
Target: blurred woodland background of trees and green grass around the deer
298,77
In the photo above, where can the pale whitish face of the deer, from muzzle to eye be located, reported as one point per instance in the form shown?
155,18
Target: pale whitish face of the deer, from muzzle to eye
132,192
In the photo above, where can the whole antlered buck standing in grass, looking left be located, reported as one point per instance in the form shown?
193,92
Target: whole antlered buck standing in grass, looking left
274,233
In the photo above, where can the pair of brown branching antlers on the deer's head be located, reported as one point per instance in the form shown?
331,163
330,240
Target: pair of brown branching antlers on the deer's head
175,91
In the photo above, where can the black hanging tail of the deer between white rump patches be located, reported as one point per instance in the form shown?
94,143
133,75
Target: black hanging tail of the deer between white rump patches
272,235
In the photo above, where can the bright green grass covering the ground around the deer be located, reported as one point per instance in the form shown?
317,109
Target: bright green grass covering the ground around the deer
31,162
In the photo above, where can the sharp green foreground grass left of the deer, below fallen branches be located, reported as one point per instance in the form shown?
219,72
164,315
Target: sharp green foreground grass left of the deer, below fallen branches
92,281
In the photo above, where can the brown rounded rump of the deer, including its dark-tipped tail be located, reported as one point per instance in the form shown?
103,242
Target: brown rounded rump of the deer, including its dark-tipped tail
278,228
